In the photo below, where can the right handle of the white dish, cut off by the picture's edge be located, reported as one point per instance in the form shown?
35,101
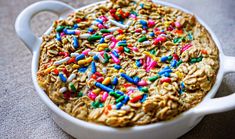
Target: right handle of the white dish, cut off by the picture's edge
222,104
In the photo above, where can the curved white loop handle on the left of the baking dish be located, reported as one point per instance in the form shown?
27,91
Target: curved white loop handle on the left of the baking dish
22,24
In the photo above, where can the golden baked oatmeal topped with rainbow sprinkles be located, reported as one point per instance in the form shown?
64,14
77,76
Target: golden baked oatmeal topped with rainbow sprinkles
125,63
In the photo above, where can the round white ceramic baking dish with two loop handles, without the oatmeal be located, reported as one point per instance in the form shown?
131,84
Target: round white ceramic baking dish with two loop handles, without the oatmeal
86,130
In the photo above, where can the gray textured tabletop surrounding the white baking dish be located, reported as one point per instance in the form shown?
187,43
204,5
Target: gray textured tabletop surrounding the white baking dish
22,113
